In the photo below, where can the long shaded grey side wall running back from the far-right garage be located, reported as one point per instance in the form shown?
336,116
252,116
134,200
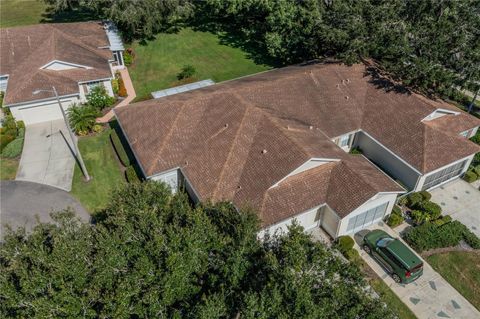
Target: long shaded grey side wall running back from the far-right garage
388,162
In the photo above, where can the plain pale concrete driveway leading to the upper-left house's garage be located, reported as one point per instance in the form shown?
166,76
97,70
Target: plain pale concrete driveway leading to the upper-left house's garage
47,157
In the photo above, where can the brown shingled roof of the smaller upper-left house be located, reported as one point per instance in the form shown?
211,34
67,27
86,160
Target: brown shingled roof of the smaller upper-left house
25,50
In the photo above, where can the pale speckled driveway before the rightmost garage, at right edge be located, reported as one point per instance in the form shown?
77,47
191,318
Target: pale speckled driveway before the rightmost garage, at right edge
460,200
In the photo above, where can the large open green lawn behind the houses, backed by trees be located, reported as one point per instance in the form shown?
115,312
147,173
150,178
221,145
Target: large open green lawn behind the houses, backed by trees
158,62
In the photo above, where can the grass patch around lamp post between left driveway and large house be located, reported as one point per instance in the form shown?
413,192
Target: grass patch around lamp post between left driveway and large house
102,165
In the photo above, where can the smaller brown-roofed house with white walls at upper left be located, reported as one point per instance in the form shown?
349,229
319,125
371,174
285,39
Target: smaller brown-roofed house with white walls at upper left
72,57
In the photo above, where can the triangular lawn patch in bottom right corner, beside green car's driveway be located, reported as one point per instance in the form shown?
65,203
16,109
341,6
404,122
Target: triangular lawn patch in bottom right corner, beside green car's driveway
462,271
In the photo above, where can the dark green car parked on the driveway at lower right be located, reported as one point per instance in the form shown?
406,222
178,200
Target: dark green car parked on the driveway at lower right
402,264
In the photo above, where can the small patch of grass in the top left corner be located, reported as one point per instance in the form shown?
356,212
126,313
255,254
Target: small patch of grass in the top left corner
21,12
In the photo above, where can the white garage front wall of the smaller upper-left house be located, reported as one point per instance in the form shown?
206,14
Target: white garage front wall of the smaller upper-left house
41,111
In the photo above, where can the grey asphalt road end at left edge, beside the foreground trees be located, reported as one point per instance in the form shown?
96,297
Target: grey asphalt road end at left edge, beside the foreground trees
21,202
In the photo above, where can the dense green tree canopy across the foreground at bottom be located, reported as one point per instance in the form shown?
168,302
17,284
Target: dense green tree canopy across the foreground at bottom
150,254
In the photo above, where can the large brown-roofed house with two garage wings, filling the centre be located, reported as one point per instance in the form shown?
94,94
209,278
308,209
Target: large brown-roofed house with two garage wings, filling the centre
279,142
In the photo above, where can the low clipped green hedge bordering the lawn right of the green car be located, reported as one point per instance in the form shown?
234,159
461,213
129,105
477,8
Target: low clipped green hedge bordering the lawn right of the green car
430,236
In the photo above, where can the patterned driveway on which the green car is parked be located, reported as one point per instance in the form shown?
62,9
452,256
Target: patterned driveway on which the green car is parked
430,296
